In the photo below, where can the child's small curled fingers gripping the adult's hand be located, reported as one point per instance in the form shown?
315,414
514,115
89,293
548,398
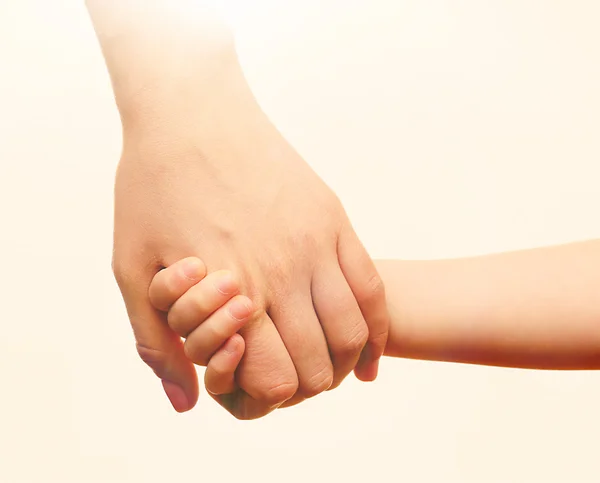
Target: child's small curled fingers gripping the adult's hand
207,312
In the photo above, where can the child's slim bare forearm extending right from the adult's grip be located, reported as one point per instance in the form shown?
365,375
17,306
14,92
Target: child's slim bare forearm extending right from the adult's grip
534,308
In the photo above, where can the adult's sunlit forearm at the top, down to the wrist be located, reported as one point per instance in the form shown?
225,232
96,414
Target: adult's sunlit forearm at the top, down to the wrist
167,59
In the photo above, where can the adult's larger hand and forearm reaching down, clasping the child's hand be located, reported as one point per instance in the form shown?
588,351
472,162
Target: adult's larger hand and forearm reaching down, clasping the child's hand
205,173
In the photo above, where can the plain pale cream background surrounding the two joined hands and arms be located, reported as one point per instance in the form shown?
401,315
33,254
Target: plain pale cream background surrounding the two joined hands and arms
448,128
